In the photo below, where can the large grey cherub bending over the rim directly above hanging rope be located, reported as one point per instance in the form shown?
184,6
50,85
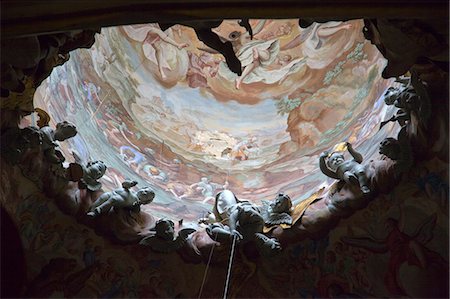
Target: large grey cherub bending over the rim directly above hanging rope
245,223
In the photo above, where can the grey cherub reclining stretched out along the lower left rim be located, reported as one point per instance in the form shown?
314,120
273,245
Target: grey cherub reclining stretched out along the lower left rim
122,198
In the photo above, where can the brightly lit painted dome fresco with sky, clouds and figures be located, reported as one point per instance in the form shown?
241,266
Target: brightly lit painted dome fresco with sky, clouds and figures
164,109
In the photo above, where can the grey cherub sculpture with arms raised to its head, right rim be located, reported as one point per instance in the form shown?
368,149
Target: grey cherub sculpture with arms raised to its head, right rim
352,171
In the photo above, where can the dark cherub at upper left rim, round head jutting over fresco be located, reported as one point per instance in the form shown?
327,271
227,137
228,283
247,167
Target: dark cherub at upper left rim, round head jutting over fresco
64,130
